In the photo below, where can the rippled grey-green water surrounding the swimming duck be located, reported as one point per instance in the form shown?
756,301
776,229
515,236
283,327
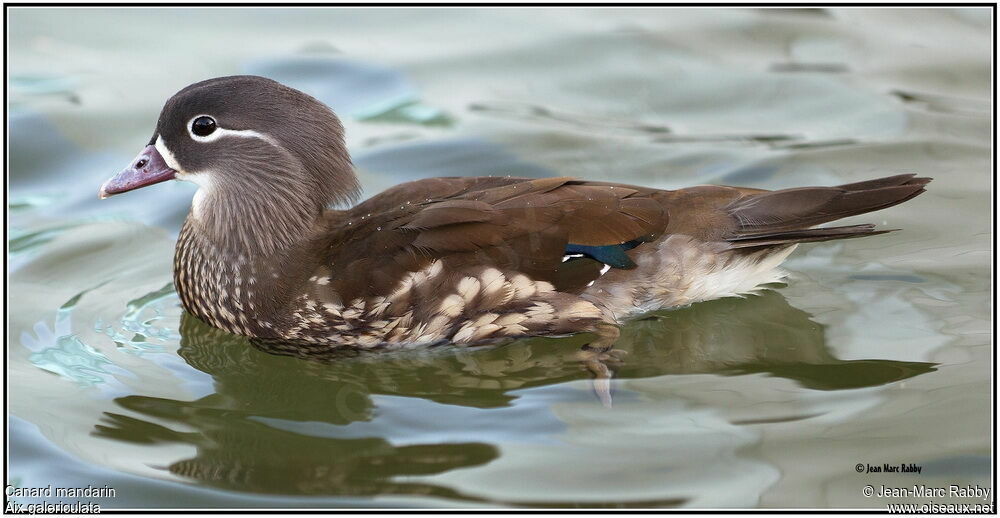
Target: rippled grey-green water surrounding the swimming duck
877,351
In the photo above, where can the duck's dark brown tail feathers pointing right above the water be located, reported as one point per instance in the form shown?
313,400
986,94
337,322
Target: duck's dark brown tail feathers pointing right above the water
785,217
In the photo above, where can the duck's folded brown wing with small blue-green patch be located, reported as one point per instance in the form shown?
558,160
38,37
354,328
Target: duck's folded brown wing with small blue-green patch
559,230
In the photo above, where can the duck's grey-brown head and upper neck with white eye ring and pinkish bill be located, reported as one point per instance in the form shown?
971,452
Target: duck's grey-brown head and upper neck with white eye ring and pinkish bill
268,160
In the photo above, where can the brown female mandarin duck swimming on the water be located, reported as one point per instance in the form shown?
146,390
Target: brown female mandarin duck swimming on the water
447,260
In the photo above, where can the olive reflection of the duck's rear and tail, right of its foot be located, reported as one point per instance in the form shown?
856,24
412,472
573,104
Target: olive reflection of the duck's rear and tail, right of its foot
755,335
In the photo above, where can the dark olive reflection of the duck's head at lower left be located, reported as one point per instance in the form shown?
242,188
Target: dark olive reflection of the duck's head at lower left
236,452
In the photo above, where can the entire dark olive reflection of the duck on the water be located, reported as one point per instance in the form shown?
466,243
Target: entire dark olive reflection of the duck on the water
280,425
